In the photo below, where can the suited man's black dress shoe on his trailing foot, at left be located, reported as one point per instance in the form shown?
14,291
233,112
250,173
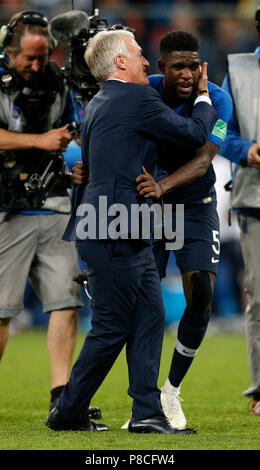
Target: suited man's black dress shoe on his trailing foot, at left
56,422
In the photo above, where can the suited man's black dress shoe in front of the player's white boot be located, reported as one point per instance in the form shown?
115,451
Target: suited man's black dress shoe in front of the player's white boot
158,424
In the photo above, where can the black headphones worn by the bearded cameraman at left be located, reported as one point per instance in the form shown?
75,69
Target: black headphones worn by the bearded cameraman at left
27,17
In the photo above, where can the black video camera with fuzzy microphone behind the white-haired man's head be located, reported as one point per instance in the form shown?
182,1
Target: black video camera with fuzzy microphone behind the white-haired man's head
76,28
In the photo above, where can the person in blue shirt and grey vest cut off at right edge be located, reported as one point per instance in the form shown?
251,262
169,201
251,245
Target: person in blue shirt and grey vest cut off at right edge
242,146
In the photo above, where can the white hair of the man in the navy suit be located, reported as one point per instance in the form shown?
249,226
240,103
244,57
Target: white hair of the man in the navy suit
102,50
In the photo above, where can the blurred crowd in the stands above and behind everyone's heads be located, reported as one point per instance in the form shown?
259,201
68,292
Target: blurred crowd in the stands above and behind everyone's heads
222,26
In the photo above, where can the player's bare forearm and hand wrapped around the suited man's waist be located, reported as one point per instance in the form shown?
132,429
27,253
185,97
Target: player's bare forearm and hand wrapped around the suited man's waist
185,175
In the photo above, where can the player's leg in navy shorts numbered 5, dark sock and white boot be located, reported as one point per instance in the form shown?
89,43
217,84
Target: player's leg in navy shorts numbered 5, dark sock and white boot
197,261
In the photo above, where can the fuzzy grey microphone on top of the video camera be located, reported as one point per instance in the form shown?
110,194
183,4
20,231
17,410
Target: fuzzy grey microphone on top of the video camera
68,25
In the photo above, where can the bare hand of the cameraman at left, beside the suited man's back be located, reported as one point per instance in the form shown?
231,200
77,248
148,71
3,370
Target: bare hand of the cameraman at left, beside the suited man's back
54,140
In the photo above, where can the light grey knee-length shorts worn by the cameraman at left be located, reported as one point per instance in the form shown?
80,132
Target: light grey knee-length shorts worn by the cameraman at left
31,247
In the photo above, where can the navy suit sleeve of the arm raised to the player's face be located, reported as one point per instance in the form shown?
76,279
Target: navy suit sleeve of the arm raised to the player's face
159,121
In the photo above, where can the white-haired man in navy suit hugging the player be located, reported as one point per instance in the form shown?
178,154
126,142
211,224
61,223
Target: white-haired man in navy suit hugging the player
124,123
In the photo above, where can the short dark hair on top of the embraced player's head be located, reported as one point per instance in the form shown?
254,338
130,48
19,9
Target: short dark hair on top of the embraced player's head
178,41
